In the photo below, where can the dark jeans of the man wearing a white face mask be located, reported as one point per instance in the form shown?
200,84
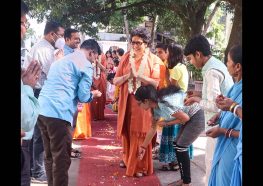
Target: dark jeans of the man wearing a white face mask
37,169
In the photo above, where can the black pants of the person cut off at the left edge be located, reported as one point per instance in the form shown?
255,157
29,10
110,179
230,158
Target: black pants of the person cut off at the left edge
25,163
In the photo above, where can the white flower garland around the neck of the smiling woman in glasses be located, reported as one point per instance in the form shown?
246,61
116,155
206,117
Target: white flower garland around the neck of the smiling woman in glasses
131,87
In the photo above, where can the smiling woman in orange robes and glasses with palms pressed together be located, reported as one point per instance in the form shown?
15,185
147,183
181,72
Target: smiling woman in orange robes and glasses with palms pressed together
137,67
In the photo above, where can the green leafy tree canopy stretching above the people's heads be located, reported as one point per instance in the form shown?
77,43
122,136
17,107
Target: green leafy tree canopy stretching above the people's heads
189,15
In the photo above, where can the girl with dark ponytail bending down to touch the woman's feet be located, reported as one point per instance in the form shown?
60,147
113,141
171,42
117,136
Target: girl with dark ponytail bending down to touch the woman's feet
167,111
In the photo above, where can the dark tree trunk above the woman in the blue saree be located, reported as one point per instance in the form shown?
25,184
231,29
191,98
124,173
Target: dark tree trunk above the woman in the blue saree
236,32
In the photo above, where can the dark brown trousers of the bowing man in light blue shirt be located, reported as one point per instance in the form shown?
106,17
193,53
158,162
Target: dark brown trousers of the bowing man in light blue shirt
56,135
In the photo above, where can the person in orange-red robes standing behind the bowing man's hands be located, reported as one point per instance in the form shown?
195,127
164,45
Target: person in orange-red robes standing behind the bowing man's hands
99,81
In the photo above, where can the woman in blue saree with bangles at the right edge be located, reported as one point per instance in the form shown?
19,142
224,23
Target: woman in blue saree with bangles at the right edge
229,124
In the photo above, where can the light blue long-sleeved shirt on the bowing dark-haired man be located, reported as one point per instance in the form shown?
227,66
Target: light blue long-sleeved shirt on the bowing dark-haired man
68,82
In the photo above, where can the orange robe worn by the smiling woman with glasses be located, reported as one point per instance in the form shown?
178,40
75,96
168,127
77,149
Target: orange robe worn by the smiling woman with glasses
134,122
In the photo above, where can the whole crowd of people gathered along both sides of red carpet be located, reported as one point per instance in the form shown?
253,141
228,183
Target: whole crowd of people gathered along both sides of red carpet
66,83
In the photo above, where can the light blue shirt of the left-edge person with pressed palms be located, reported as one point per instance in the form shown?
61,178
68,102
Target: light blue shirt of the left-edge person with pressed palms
29,110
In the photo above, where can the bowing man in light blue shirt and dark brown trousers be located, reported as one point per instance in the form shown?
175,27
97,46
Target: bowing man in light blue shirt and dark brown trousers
68,82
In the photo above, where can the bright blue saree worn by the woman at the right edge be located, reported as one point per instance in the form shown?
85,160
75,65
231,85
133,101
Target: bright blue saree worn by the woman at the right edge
226,148
